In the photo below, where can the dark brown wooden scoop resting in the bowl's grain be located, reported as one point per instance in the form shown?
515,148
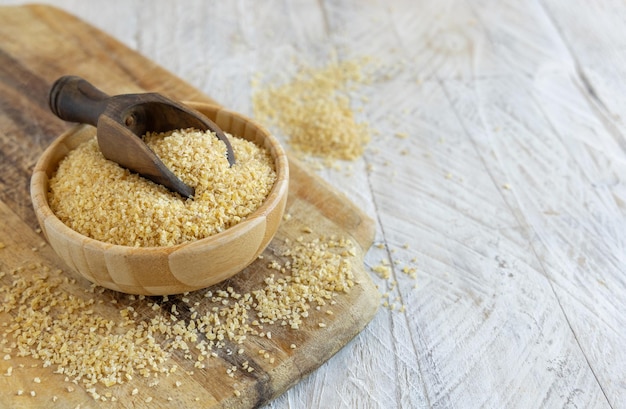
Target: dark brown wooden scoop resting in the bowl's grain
121,122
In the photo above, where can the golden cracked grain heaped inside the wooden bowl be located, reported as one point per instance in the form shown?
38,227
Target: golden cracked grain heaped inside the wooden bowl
104,201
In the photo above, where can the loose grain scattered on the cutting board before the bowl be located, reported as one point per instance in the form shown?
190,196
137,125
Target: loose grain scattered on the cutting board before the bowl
85,347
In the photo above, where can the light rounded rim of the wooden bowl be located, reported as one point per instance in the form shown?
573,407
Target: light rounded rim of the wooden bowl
40,179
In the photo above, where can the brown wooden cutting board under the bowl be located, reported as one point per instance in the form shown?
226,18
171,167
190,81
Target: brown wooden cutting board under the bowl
41,43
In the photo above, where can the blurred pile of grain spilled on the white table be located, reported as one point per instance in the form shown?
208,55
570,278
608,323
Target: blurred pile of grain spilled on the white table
314,110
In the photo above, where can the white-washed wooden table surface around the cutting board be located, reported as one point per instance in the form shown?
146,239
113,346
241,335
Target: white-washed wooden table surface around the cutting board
512,197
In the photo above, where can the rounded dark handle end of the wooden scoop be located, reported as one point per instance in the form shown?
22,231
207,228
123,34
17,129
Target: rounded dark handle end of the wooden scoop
74,99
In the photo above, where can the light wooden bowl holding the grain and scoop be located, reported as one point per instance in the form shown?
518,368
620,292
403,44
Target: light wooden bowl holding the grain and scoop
164,270
